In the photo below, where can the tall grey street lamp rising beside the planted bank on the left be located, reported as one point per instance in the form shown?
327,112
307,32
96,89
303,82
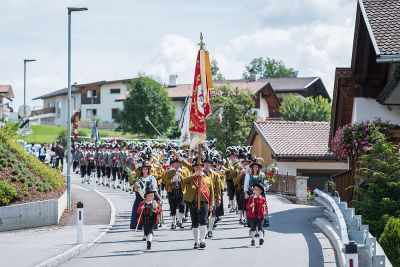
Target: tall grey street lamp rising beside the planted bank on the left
69,160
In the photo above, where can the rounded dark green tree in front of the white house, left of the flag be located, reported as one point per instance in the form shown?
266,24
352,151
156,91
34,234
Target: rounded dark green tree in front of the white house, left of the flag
146,98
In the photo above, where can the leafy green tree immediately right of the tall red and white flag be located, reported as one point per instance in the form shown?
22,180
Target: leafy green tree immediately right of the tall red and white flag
232,117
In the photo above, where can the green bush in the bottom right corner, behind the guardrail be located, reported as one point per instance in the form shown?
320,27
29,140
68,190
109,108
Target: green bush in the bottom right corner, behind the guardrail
390,241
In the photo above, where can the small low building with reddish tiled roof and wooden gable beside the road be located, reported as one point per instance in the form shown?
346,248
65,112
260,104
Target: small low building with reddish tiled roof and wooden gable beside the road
297,148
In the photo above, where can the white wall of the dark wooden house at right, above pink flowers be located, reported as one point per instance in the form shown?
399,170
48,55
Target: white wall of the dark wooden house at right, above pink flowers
369,109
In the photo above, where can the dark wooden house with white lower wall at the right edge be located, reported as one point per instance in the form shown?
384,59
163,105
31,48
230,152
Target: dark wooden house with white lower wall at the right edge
370,87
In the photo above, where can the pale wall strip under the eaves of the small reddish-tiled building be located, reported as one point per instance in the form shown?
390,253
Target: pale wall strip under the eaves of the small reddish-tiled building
292,167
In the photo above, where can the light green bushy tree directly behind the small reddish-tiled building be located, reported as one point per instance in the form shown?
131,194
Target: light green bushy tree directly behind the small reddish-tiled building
295,108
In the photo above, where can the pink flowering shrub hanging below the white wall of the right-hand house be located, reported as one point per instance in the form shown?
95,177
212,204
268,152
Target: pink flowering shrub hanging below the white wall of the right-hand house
353,139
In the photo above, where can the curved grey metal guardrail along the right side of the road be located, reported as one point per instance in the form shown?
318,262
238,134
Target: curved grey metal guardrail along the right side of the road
342,225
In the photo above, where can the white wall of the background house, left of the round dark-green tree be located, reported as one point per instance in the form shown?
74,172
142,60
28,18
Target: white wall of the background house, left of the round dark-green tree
107,102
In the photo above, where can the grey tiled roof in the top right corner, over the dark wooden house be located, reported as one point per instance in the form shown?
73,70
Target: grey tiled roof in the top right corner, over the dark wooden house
382,18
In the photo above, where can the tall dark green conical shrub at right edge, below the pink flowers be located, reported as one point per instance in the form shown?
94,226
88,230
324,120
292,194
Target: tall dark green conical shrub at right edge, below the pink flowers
377,196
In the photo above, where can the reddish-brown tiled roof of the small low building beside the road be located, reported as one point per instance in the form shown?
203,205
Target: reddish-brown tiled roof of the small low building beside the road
294,139
